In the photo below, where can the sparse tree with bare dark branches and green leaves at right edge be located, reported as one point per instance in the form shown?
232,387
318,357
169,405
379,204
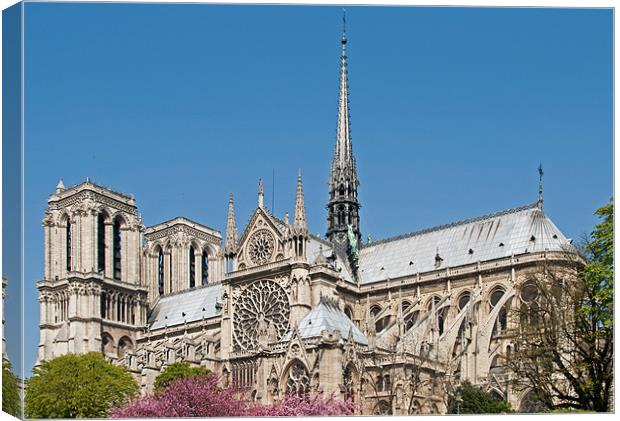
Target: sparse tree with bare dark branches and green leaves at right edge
564,339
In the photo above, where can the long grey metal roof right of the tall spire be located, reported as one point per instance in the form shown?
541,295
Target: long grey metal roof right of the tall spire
515,231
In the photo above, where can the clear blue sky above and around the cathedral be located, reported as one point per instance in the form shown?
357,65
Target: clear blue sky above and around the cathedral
452,110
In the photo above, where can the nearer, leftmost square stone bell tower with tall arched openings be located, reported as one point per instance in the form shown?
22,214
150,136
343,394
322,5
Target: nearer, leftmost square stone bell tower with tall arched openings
91,297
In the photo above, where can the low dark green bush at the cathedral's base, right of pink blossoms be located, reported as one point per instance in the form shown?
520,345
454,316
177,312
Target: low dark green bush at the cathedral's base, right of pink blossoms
470,399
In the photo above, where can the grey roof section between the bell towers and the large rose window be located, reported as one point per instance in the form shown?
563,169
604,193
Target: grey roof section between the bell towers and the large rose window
170,308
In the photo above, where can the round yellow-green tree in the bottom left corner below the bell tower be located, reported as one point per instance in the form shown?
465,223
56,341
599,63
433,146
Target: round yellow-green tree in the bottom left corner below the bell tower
78,386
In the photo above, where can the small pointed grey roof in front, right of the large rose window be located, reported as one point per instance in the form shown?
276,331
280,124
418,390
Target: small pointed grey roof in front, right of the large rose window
327,316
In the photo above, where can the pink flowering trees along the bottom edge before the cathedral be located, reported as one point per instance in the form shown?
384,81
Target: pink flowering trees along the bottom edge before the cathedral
202,397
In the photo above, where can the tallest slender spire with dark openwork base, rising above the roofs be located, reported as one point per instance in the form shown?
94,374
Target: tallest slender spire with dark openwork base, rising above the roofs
343,205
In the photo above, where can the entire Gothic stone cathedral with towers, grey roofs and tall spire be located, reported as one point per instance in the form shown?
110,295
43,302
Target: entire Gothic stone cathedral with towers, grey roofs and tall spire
391,324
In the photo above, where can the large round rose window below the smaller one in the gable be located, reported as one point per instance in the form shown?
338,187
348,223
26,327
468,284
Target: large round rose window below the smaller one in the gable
263,306
